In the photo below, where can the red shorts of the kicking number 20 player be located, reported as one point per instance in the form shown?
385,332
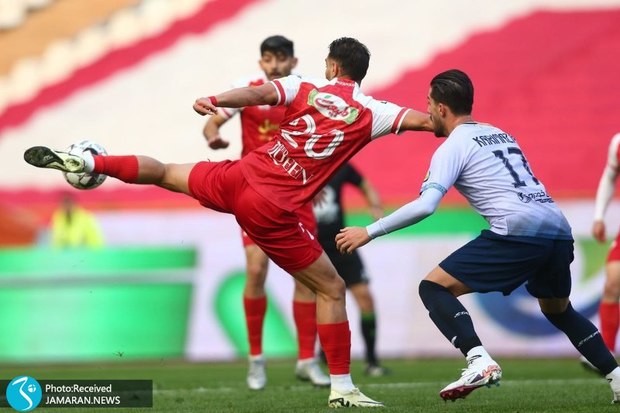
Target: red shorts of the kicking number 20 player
282,235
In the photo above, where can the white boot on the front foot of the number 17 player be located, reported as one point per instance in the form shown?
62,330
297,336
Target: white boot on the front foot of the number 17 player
480,371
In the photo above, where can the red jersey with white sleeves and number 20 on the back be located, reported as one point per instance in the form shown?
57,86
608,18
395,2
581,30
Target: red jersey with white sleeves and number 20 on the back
325,124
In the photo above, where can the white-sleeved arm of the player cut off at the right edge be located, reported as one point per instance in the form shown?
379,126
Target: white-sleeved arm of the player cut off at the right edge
605,191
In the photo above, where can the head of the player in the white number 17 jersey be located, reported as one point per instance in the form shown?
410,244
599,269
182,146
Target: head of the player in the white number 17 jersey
451,95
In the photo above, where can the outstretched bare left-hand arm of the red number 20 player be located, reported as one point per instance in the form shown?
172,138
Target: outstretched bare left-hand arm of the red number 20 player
237,98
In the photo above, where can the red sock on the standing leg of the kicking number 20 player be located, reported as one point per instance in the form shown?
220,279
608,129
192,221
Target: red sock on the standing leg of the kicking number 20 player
336,343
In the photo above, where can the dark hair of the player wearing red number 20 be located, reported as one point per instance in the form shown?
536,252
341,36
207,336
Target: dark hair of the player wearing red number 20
352,56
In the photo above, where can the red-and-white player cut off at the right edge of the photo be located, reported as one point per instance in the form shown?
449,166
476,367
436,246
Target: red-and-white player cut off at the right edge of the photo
608,311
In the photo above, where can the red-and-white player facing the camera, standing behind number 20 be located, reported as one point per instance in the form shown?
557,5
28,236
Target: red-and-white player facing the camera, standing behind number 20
259,125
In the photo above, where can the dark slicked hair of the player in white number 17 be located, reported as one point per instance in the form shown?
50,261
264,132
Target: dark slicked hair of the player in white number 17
454,89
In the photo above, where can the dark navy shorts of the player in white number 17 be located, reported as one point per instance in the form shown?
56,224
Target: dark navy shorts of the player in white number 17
493,262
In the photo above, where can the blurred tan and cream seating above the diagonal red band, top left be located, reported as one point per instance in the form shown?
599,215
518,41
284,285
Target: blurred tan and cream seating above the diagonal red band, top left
51,46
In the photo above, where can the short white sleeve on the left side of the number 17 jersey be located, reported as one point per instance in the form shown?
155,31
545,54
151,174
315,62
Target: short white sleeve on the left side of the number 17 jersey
446,166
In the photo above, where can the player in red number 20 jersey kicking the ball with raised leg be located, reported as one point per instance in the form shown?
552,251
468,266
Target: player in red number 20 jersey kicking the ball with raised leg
325,124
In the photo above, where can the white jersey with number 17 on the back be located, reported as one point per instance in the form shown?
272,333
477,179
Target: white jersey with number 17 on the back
486,165
